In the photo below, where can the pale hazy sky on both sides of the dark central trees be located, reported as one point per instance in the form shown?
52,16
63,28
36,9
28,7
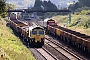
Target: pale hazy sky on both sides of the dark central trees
26,3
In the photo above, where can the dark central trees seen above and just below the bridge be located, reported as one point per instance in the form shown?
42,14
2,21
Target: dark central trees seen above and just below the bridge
46,5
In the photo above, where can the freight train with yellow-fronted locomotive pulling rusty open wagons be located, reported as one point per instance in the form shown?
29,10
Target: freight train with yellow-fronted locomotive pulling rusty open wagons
34,35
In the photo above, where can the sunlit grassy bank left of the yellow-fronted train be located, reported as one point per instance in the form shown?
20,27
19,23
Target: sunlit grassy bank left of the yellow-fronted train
11,48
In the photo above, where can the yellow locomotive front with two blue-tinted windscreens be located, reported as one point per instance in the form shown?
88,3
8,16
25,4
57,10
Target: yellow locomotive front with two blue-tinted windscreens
37,35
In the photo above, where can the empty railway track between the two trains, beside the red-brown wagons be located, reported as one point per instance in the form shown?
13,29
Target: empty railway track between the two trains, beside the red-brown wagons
63,50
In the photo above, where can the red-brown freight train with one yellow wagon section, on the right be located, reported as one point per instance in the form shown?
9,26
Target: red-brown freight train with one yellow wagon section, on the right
77,39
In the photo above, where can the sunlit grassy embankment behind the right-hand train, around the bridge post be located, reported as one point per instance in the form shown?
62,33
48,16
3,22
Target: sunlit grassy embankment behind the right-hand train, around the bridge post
80,23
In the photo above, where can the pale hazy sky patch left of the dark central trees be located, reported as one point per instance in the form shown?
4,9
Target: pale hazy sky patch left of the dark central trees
21,3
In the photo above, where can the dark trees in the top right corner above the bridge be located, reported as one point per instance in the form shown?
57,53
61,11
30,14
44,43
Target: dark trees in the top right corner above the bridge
78,6
